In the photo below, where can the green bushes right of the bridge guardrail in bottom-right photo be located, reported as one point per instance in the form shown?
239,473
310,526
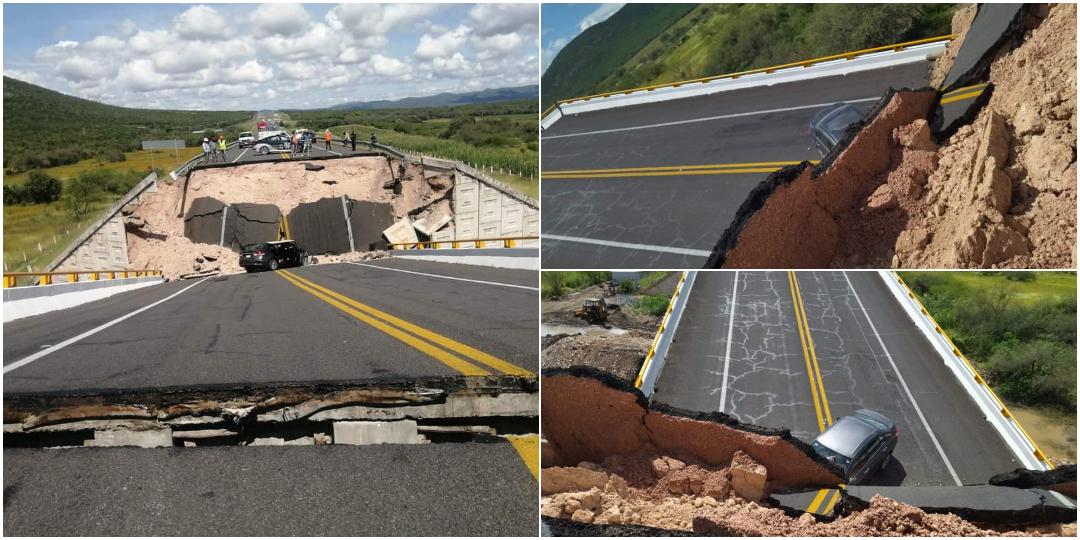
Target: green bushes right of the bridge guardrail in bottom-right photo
1020,329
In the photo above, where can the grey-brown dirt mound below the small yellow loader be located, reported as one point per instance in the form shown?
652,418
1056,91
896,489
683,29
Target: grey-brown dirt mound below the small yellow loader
619,356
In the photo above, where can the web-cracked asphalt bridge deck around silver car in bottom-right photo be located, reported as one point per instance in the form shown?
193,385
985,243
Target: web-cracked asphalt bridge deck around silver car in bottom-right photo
865,352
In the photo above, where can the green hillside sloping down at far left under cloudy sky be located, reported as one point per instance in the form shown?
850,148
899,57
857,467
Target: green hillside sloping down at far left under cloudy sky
45,129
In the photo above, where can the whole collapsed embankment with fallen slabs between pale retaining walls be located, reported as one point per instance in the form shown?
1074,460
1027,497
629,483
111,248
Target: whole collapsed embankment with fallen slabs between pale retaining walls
353,207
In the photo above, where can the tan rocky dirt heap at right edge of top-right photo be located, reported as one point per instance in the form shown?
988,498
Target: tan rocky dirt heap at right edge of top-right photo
1004,192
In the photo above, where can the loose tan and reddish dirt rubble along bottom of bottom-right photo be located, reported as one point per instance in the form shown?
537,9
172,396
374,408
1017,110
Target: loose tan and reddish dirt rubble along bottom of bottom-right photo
669,494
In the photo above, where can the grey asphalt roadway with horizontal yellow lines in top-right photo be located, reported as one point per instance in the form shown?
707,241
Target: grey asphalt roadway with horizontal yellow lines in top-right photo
598,214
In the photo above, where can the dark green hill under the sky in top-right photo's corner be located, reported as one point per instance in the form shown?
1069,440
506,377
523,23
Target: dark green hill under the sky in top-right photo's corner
585,62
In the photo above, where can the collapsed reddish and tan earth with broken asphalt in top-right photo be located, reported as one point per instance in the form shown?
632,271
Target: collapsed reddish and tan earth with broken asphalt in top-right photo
995,188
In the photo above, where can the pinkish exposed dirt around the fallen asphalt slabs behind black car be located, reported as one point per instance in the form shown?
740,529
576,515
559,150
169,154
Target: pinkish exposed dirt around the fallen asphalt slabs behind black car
156,229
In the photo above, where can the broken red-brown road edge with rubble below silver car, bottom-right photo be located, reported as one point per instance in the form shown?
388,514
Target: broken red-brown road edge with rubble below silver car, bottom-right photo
614,465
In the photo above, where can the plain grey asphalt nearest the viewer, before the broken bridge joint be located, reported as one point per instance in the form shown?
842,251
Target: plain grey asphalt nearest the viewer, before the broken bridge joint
433,490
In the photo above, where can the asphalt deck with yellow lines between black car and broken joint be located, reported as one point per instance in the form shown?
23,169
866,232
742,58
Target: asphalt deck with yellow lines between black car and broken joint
320,323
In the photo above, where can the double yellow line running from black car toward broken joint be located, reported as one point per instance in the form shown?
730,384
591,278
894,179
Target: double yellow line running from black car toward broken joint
455,355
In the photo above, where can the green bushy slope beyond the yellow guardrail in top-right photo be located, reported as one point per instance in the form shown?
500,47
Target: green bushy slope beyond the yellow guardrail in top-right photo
723,38
